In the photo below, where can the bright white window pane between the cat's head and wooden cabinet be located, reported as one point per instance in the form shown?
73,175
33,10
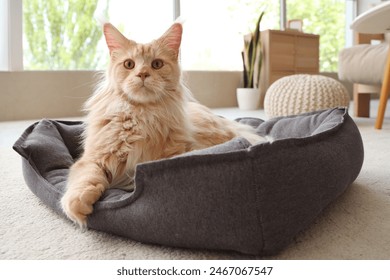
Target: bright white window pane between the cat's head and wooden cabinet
213,37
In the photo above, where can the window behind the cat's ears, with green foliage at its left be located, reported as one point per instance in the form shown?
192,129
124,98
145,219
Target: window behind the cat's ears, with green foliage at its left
63,35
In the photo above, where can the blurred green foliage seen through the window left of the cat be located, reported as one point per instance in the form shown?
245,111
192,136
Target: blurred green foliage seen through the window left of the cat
61,34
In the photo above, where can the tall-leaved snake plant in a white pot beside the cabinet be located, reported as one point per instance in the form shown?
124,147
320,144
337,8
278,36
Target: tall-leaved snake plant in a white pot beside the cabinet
248,97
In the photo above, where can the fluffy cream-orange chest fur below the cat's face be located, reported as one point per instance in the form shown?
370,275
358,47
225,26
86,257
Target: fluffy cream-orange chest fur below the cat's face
139,135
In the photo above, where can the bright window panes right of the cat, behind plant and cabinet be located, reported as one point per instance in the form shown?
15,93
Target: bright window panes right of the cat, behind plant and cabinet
214,29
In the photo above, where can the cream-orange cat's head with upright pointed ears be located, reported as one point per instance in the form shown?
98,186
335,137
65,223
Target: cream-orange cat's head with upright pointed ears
144,72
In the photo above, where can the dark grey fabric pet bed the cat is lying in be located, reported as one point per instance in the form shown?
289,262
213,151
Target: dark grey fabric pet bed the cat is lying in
250,199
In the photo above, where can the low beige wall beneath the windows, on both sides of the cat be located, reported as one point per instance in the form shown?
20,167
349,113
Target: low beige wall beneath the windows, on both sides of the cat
57,94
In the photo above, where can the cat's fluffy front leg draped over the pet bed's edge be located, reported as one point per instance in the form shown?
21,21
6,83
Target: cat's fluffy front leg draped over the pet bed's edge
86,183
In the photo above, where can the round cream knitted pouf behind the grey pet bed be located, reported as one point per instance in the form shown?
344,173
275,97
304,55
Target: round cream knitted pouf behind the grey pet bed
297,94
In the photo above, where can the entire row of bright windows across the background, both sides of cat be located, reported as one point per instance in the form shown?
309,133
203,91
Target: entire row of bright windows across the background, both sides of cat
62,35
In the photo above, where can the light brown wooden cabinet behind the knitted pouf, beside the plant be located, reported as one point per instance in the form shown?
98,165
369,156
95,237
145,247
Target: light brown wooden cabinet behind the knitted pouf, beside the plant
287,53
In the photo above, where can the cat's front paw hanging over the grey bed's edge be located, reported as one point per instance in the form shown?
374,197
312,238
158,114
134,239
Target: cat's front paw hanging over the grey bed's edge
77,204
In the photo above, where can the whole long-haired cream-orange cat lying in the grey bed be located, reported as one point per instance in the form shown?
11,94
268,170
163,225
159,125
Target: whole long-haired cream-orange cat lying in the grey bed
141,111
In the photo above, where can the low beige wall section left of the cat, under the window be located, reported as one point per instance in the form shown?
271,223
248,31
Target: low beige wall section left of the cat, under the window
35,95
